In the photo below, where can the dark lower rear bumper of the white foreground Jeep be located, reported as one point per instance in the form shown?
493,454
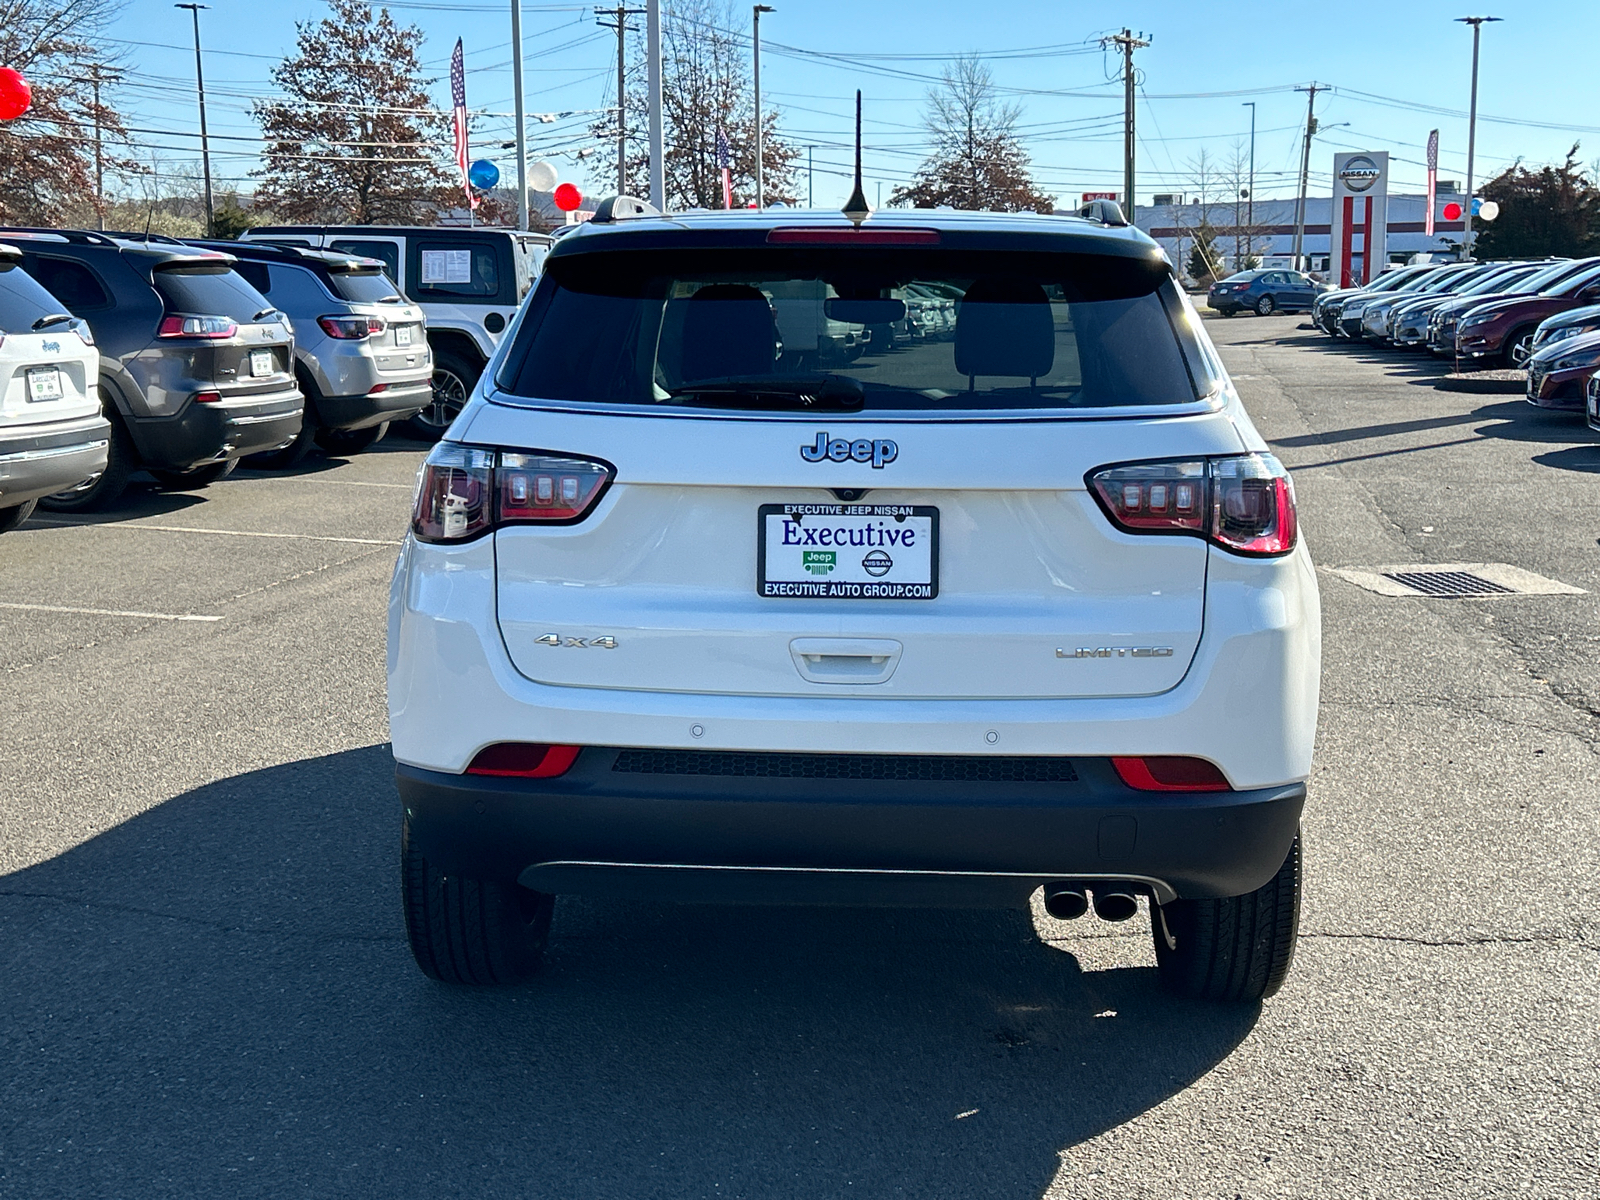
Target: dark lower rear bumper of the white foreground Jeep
602,831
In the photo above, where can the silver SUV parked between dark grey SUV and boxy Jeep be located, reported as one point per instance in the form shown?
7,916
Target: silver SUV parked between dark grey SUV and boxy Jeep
361,350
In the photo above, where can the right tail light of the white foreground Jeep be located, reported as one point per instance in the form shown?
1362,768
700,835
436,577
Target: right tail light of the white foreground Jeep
1244,503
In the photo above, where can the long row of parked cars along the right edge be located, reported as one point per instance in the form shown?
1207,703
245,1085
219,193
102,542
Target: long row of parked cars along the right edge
1540,318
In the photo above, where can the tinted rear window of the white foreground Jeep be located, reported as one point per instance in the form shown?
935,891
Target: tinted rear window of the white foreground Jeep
922,330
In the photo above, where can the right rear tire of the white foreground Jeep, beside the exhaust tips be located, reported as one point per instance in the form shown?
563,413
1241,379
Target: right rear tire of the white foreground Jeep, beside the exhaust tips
1239,948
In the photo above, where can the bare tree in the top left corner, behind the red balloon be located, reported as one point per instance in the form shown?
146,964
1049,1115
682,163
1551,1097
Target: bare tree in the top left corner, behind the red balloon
47,156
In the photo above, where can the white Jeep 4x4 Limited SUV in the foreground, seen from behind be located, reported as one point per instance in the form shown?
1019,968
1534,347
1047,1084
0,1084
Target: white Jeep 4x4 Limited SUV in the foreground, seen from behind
687,614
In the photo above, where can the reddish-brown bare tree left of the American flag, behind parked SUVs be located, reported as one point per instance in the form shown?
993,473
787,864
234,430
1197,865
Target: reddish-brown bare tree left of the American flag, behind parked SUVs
356,137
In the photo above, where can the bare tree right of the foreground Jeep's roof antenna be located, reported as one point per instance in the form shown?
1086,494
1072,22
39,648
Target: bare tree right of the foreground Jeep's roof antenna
977,159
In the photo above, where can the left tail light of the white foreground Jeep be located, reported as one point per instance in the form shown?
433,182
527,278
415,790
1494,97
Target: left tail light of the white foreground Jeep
465,492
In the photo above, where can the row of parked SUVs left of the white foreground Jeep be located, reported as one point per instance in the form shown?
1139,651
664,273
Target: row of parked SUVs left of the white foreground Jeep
126,353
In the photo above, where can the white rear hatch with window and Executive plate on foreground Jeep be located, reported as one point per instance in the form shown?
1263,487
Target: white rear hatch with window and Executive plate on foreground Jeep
919,529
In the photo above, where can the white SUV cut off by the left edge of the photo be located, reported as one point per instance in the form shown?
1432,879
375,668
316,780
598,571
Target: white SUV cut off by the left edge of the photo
54,434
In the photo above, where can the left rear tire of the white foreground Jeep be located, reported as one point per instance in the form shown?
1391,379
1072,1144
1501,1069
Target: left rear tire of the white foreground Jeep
466,930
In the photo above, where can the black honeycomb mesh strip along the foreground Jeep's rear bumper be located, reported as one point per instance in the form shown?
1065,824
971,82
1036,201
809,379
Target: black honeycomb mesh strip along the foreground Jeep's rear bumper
910,767
